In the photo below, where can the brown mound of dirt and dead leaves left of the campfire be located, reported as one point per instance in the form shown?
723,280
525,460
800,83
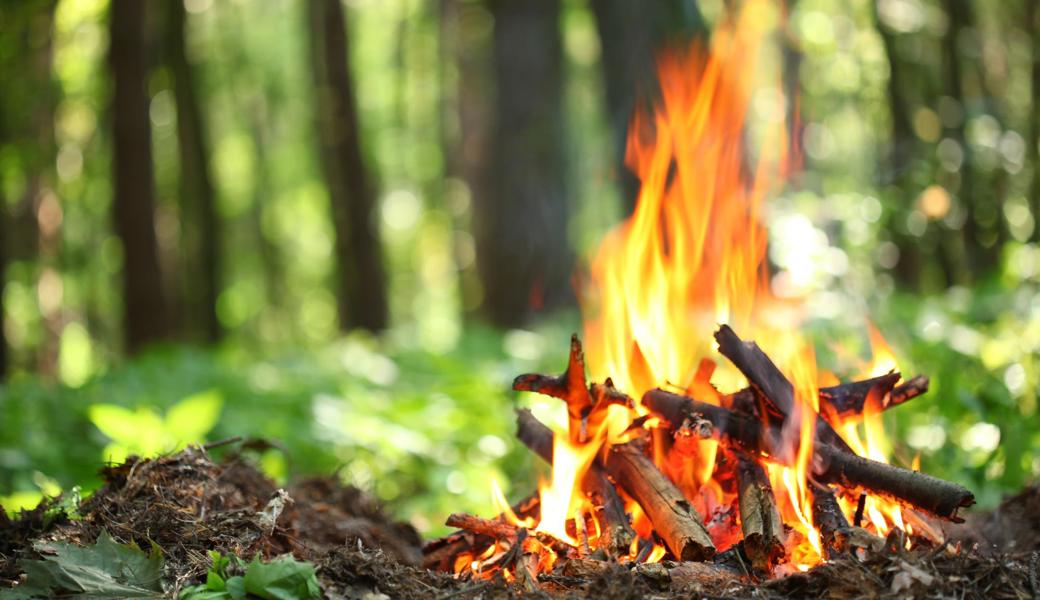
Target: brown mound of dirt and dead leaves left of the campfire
187,505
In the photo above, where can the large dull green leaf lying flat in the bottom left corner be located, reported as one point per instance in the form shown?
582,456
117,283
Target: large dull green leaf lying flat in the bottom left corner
106,570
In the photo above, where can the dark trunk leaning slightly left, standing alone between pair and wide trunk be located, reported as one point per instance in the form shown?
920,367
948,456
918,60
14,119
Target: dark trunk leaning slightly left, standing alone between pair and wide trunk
362,285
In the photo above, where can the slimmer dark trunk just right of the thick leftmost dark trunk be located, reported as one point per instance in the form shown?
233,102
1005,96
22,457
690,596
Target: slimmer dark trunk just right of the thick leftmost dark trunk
201,231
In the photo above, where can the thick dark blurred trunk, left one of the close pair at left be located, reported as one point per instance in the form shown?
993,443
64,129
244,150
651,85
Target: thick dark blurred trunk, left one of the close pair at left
145,314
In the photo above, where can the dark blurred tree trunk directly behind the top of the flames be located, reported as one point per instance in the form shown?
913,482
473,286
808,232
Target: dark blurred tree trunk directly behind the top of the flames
631,34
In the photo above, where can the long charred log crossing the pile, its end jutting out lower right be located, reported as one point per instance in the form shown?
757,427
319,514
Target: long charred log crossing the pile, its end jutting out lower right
831,465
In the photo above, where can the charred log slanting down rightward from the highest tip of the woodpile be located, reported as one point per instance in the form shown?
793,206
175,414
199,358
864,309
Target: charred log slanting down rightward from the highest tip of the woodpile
772,386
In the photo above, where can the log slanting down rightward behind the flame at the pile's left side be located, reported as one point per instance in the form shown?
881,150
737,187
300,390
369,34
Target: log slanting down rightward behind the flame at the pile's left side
617,532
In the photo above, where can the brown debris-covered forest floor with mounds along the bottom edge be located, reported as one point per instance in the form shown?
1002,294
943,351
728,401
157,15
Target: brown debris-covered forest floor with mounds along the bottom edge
188,506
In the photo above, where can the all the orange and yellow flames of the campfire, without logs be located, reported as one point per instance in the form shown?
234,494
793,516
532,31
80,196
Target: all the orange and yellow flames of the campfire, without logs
693,256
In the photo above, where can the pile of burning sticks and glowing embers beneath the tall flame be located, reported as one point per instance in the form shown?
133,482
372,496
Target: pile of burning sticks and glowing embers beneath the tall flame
639,514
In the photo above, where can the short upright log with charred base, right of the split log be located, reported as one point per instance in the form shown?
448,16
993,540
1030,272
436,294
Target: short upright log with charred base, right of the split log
760,517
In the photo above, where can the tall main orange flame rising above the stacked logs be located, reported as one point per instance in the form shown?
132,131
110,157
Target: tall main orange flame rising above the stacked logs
693,254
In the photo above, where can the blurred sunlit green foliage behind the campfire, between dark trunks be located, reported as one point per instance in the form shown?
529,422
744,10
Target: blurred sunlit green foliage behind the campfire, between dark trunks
917,206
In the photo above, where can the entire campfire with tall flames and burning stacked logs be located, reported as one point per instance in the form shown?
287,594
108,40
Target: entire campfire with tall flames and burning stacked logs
761,463
